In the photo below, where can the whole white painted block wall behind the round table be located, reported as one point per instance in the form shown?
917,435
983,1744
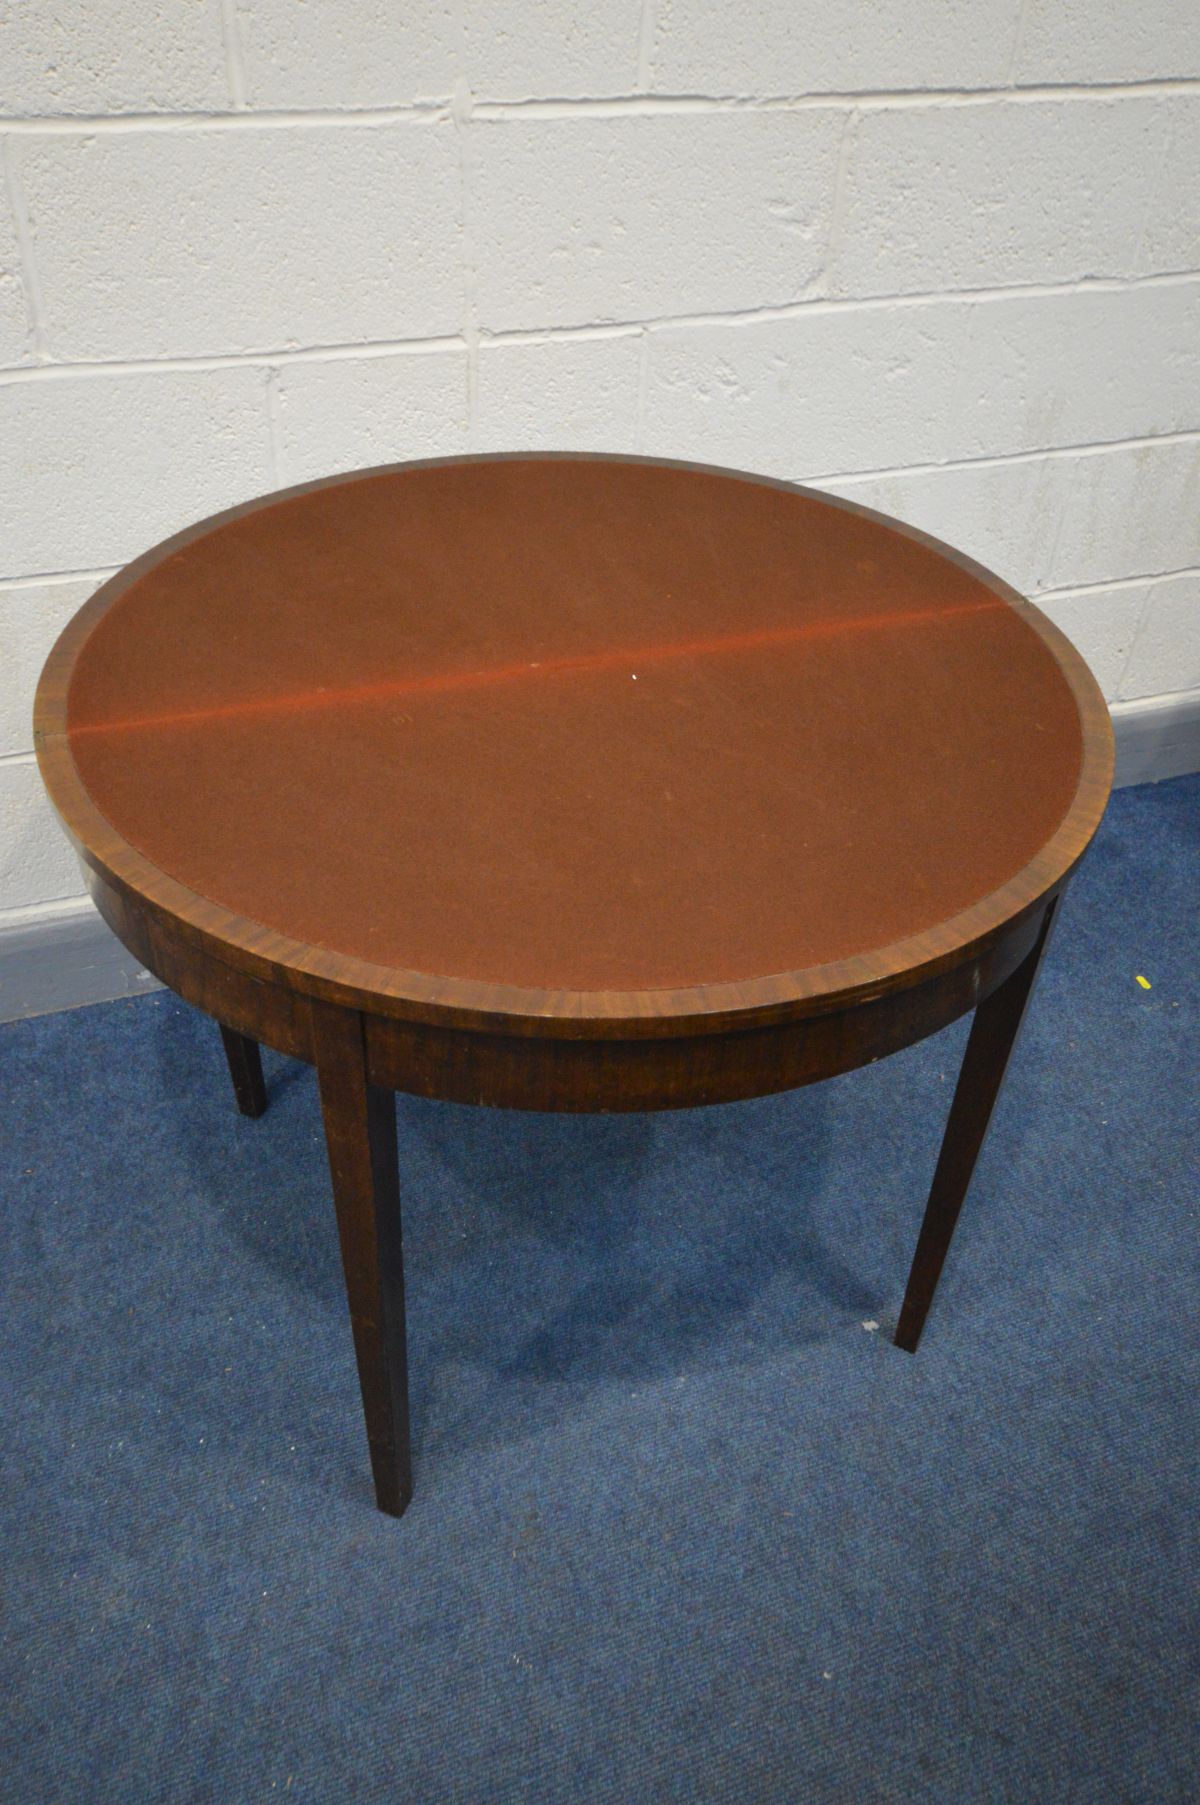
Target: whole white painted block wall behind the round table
943,259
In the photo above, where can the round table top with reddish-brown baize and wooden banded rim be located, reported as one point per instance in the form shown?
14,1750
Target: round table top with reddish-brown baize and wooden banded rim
575,734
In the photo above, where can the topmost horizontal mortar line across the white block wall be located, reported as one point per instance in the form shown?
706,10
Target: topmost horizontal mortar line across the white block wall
438,109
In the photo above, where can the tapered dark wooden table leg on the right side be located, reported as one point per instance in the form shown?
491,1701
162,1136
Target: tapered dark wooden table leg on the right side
993,1037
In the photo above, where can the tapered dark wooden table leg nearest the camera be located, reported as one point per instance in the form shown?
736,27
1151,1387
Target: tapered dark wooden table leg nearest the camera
360,1134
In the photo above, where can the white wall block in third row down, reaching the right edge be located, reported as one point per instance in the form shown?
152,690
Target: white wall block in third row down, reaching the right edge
882,385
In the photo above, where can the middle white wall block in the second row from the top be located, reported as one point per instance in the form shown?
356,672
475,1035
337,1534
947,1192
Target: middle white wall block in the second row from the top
582,221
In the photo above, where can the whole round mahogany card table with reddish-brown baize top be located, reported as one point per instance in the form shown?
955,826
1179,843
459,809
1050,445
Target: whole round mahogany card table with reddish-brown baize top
573,784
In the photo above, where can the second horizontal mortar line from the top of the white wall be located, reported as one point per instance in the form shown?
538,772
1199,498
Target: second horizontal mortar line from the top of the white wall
279,356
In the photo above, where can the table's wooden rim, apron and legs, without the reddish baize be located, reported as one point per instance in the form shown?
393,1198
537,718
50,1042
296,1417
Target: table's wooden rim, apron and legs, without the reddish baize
373,1032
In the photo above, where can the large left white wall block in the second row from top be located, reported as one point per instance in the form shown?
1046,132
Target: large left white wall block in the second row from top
199,243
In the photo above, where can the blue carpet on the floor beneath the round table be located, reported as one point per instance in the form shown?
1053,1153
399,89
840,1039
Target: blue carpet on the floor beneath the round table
687,1526
